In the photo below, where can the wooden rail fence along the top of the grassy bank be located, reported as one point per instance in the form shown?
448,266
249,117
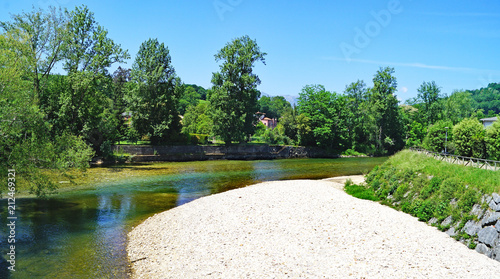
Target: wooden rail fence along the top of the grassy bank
461,160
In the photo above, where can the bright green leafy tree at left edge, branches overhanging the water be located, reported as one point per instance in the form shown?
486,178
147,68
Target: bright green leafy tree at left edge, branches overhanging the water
26,140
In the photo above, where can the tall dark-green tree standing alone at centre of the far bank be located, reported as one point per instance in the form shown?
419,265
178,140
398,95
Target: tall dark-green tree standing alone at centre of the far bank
234,95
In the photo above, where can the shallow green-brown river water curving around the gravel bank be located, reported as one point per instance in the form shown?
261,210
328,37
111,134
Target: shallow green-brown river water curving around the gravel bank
83,233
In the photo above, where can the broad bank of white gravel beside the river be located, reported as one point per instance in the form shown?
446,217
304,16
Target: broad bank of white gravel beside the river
296,229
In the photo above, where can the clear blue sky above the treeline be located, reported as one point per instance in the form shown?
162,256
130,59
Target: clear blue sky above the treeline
333,43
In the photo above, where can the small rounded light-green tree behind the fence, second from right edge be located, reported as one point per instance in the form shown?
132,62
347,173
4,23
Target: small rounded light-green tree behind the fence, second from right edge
468,137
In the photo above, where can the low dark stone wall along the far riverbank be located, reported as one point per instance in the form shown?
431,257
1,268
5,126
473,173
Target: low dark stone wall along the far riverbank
147,153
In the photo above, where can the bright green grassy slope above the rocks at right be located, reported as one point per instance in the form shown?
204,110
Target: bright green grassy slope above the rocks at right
428,188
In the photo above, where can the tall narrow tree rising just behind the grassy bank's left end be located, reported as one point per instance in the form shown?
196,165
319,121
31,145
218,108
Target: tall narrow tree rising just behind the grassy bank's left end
385,112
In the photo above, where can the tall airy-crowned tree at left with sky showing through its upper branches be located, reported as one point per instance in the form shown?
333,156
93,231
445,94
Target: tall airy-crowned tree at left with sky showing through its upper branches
84,98
